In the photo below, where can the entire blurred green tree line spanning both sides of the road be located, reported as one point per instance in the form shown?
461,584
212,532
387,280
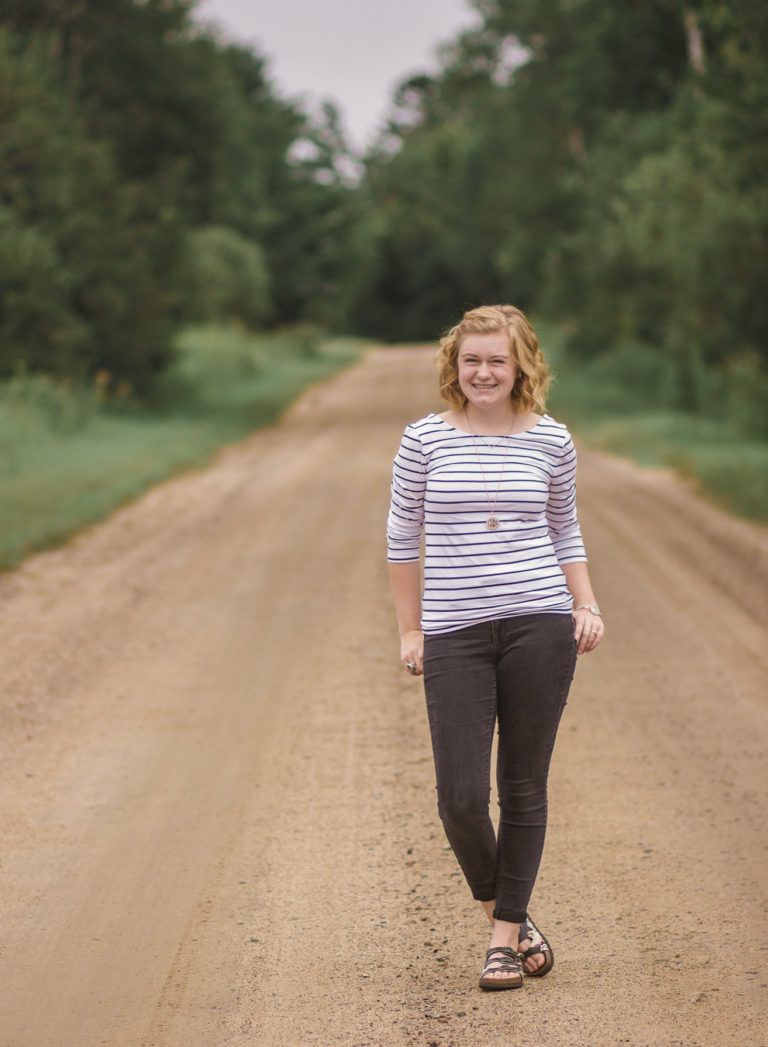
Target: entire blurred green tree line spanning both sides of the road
601,163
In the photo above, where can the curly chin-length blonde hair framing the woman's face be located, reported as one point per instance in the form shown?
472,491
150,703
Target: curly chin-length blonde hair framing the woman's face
533,382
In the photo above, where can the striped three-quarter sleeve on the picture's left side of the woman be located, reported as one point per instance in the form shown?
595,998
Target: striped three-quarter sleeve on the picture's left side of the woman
405,523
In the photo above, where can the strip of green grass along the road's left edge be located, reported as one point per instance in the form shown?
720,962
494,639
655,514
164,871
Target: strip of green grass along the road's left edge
69,458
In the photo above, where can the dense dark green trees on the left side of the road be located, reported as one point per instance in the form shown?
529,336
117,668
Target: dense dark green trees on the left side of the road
148,180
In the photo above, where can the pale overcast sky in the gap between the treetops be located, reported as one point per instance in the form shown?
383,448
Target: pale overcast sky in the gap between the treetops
353,52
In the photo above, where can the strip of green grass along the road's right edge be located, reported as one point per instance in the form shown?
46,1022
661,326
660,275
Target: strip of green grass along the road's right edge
615,410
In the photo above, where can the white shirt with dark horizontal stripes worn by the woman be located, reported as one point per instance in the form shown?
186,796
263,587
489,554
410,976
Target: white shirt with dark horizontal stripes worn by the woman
472,574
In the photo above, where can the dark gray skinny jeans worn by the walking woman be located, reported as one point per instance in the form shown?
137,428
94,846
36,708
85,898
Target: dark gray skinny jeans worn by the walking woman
516,672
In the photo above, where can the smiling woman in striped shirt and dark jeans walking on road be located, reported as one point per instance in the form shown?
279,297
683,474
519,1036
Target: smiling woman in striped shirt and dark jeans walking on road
507,606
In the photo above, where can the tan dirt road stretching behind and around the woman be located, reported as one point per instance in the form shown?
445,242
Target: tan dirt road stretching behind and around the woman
216,791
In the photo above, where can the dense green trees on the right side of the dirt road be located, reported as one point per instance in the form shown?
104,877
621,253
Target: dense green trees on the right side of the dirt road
601,162
